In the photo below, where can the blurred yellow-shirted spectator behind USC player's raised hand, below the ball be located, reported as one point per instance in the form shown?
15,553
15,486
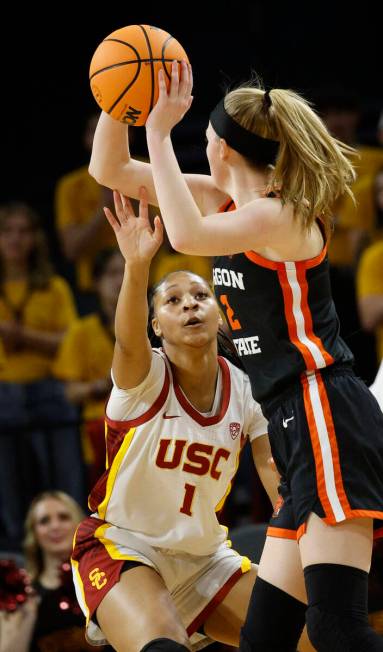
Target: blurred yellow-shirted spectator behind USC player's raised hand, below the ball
80,220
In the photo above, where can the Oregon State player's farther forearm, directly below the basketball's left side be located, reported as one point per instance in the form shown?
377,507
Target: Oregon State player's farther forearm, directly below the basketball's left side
110,150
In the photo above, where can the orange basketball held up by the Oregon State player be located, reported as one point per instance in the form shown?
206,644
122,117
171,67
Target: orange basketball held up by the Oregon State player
124,71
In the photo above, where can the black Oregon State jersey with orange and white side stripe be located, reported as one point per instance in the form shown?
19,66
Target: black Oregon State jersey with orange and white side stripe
281,316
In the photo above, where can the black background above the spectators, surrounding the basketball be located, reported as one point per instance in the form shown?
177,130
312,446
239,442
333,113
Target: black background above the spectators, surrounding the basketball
45,56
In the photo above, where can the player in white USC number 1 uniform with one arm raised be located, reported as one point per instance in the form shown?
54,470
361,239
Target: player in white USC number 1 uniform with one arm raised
176,422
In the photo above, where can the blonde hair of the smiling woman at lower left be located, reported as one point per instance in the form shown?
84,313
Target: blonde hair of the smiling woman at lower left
34,560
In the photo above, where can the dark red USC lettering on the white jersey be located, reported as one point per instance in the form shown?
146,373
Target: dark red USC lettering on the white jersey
200,458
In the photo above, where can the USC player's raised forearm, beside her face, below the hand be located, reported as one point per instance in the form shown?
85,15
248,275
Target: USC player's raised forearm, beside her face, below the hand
132,309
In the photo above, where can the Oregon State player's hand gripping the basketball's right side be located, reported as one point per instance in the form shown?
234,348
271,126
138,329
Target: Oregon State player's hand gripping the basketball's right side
171,106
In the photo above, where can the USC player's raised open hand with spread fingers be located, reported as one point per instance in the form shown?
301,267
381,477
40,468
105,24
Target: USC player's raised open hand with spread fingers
137,241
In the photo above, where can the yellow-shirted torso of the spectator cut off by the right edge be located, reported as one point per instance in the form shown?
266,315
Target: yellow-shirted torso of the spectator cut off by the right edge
370,292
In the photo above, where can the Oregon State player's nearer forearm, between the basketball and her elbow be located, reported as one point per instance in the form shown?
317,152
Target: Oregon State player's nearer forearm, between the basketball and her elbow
179,211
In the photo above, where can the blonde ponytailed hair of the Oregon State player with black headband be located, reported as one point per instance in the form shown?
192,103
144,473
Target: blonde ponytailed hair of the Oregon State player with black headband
312,168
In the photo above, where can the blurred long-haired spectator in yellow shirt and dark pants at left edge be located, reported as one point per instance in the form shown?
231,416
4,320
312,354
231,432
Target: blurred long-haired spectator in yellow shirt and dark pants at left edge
38,441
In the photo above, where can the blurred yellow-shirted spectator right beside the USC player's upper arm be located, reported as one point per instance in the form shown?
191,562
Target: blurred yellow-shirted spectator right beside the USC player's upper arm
85,359
